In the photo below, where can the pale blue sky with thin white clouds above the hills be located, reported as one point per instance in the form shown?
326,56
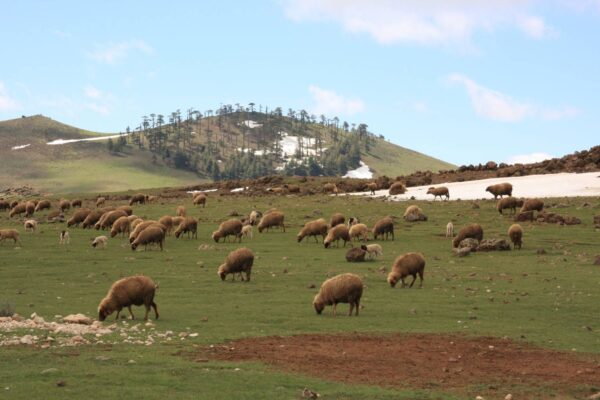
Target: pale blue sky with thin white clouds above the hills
466,81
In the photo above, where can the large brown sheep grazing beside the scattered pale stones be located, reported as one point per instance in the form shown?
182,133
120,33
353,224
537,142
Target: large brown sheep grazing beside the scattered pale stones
133,290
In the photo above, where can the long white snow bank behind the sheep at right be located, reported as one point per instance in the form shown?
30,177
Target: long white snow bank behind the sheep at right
550,185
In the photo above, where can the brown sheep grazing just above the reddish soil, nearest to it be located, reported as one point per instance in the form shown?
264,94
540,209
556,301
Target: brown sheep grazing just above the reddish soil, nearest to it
343,288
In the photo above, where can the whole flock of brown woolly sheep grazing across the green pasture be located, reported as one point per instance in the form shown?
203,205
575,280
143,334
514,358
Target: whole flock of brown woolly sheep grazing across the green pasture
344,288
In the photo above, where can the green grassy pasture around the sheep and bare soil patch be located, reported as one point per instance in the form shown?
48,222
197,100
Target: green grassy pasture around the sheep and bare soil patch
550,300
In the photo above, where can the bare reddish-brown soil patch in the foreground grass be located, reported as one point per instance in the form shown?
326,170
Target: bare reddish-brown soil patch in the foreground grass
427,361
